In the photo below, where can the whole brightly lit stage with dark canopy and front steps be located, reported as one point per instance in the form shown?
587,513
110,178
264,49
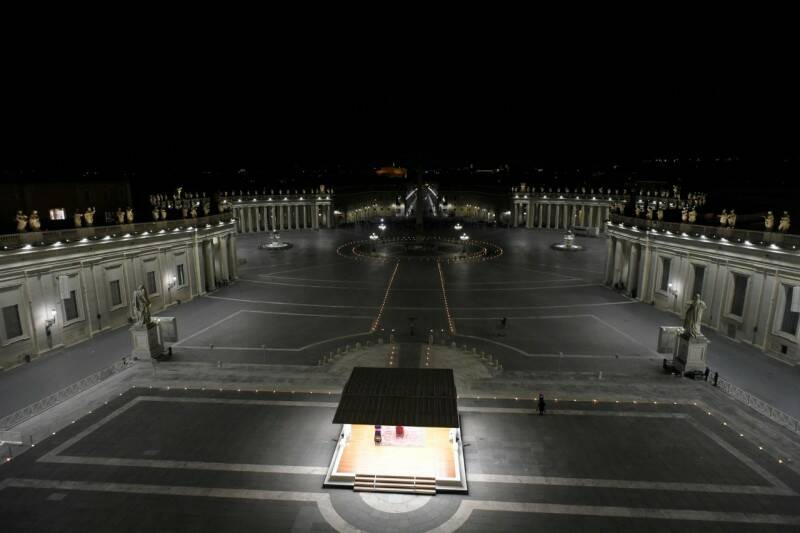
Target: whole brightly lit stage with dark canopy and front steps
400,432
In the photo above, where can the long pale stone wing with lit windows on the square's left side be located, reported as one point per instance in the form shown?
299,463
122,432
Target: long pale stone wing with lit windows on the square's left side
63,291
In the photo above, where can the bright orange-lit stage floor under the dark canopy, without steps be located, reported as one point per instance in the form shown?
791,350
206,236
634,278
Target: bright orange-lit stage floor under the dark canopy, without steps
433,457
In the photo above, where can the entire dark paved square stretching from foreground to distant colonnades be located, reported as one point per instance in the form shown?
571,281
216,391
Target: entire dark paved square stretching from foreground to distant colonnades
163,448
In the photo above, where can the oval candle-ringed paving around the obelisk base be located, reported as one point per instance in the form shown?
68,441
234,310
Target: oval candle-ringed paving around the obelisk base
427,248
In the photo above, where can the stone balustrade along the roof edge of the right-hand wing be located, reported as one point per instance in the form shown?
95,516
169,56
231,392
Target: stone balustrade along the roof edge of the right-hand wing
786,240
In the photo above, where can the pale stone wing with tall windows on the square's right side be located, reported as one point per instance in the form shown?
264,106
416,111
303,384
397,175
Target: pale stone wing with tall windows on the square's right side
750,281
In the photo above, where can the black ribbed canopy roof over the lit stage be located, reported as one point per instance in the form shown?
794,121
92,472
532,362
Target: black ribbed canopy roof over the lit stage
399,397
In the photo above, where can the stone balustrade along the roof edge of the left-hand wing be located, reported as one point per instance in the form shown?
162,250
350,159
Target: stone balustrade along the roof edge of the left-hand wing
16,240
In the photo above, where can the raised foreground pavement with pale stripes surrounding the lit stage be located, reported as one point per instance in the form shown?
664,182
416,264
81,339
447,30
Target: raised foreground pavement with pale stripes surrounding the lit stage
244,461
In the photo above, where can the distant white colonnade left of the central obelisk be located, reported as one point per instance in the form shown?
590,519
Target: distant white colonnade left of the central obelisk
282,216
